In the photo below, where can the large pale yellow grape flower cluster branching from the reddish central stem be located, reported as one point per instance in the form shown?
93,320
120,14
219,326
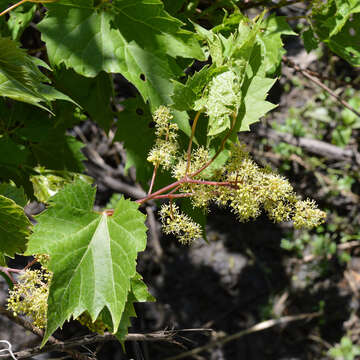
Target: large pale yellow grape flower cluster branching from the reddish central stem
239,183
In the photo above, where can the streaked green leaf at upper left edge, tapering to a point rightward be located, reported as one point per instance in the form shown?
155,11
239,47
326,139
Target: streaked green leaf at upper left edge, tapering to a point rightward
21,80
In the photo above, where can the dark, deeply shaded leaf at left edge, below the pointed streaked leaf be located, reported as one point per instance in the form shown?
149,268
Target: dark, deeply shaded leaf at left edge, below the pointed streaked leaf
40,141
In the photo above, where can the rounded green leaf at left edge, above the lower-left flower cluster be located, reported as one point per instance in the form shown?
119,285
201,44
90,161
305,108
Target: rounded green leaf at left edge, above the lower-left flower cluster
14,228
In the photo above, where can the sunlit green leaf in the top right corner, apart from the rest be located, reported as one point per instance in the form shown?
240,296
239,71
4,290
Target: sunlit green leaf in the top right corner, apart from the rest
337,23
